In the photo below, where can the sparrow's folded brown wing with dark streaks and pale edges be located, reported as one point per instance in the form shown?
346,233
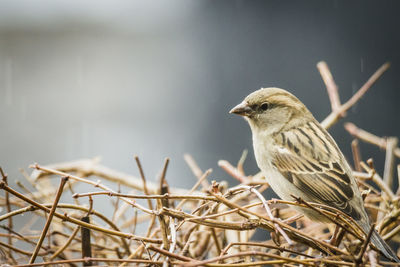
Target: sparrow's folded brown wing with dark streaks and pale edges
309,158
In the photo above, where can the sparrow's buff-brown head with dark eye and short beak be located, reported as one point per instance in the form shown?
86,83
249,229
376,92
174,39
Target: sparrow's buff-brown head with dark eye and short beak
272,109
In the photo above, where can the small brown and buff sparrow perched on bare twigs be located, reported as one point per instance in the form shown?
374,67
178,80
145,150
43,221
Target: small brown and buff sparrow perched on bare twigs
298,157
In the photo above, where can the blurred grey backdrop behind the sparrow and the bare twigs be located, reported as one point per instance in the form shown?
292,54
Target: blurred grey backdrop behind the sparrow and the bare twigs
80,79
